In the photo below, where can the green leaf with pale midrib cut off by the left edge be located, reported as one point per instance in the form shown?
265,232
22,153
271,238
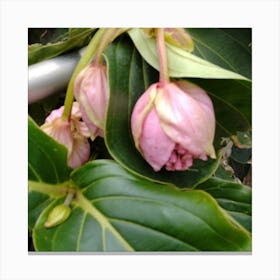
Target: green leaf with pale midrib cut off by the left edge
47,166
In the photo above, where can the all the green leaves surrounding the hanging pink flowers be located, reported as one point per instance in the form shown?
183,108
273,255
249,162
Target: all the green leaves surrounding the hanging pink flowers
120,203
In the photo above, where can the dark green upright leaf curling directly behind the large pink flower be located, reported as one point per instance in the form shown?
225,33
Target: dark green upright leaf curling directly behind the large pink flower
129,76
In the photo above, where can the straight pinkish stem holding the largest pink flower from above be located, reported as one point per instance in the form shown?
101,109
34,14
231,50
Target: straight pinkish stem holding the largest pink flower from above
162,56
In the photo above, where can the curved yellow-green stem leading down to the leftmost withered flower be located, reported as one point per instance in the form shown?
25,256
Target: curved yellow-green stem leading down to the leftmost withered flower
84,61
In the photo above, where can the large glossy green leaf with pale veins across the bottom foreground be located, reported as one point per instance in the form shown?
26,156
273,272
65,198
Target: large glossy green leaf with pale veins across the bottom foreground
116,211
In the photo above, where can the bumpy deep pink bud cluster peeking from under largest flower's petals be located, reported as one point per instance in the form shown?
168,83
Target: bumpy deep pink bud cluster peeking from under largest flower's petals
180,159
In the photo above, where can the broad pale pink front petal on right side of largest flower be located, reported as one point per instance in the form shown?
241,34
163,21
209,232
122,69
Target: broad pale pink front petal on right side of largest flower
184,120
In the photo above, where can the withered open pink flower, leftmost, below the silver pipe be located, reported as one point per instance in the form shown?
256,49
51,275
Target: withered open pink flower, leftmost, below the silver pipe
72,134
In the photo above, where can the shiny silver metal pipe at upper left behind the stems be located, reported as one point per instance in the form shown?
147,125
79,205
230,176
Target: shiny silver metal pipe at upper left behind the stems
48,77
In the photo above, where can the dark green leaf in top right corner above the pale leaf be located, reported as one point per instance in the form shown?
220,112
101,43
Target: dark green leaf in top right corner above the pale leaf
229,48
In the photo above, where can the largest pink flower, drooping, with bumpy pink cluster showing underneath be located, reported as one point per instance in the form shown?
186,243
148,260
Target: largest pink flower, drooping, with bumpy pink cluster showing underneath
172,124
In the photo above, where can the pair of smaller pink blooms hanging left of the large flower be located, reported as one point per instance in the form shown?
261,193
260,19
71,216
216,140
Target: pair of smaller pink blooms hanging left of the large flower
87,116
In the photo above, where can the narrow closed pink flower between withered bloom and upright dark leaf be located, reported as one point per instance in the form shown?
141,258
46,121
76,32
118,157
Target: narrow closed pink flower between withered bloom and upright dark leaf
92,92
